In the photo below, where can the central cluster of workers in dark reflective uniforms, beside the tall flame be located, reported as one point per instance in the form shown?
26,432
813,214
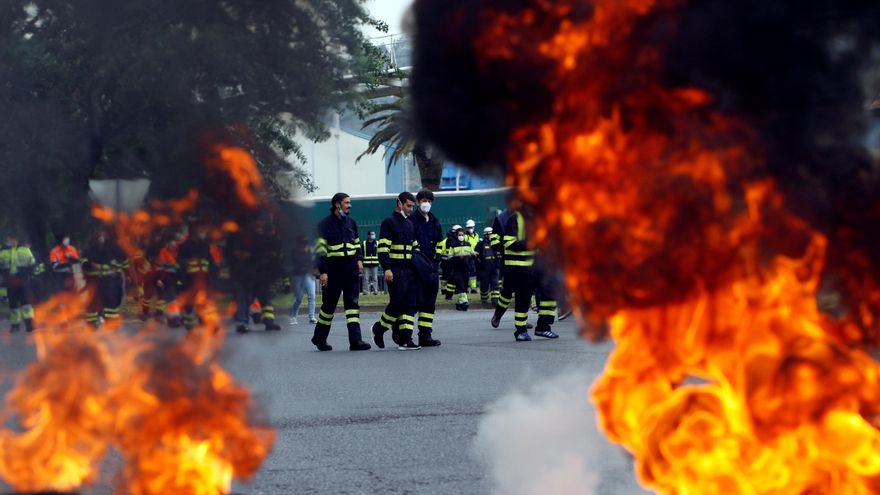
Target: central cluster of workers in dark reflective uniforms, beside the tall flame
413,251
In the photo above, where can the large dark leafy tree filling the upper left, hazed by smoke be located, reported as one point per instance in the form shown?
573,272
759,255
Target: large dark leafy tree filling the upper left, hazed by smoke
108,88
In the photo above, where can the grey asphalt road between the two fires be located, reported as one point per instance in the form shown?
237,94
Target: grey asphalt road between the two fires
388,421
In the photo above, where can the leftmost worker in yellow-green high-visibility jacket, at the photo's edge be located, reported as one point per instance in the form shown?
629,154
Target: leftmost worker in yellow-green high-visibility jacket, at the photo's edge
17,263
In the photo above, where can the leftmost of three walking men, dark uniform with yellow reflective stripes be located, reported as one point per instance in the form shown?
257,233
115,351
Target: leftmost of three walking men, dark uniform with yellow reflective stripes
339,260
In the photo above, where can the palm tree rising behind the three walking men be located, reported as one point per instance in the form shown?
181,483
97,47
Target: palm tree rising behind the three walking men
397,133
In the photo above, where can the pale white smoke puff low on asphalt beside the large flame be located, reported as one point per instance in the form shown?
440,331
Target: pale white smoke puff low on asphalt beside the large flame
544,439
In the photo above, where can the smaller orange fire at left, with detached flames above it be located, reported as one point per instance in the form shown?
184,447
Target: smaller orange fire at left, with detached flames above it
181,423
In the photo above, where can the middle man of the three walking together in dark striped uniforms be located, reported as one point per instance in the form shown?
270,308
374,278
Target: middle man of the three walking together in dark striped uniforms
397,241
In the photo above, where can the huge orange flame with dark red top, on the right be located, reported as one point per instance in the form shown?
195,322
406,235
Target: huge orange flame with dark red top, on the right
726,377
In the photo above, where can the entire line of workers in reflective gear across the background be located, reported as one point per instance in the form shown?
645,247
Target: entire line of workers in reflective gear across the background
169,273
